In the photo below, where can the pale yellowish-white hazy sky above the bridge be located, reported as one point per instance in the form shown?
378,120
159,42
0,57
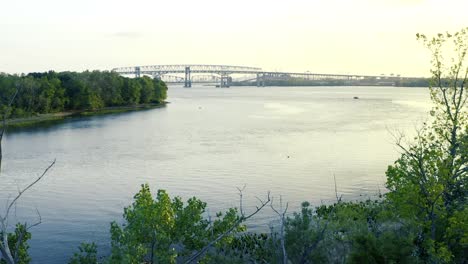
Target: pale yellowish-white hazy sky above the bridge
323,36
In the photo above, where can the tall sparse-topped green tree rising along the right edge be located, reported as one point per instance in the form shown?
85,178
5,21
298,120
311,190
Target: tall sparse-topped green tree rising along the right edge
428,183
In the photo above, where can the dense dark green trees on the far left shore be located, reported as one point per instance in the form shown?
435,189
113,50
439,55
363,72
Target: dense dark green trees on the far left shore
49,92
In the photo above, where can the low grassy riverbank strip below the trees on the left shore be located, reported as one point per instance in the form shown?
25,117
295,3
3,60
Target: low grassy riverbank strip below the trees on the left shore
52,117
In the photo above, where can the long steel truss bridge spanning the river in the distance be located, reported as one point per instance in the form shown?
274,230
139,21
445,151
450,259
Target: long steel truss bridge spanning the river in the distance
222,74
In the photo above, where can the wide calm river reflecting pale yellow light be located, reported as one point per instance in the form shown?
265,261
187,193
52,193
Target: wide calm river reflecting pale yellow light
291,141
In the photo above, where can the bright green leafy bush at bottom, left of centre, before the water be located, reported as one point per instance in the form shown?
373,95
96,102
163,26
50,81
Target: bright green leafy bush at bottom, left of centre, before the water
164,230
